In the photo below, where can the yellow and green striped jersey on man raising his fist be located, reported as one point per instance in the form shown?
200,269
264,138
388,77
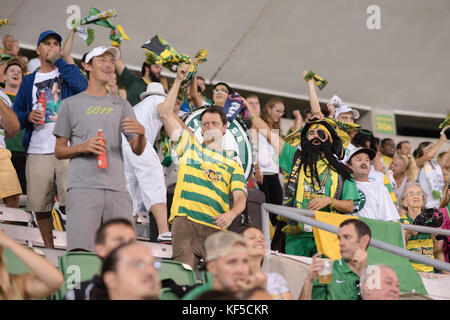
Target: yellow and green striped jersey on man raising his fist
205,178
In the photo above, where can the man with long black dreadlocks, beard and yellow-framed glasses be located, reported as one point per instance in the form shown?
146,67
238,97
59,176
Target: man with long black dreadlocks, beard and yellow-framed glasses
317,181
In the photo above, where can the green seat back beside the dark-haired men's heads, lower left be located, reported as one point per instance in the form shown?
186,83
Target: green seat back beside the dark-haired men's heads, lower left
77,267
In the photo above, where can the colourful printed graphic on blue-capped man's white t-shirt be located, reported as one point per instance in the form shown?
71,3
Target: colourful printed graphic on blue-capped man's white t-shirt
48,94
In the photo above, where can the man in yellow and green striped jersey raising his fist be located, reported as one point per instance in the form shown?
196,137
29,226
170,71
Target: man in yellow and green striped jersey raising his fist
206,176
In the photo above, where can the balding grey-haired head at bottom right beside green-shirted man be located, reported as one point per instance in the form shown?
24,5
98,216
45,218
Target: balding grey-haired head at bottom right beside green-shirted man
387,280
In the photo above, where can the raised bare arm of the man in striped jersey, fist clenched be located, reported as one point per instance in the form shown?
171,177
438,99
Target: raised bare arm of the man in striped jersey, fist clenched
166,109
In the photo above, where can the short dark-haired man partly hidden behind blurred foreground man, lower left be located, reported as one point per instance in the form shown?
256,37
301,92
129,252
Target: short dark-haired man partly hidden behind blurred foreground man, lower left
109,236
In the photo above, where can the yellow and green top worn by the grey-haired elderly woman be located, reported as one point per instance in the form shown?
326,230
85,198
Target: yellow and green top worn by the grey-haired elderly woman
422,243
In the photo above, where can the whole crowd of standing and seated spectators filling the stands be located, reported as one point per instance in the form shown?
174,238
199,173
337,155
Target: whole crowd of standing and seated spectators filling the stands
51,117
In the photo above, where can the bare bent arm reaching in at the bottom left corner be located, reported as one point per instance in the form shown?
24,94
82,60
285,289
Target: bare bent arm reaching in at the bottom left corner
44,278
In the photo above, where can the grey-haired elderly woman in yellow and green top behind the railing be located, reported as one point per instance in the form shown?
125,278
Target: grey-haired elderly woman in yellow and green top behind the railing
413,201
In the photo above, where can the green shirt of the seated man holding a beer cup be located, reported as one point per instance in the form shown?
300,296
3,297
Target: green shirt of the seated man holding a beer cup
342,285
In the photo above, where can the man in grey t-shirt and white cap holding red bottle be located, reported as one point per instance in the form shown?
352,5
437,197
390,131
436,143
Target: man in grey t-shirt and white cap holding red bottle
94,194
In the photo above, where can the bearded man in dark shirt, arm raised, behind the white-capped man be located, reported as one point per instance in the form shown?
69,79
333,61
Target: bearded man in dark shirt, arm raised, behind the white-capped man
134,85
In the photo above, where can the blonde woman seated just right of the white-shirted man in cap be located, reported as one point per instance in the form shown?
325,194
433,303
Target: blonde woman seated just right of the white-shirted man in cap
402,170
